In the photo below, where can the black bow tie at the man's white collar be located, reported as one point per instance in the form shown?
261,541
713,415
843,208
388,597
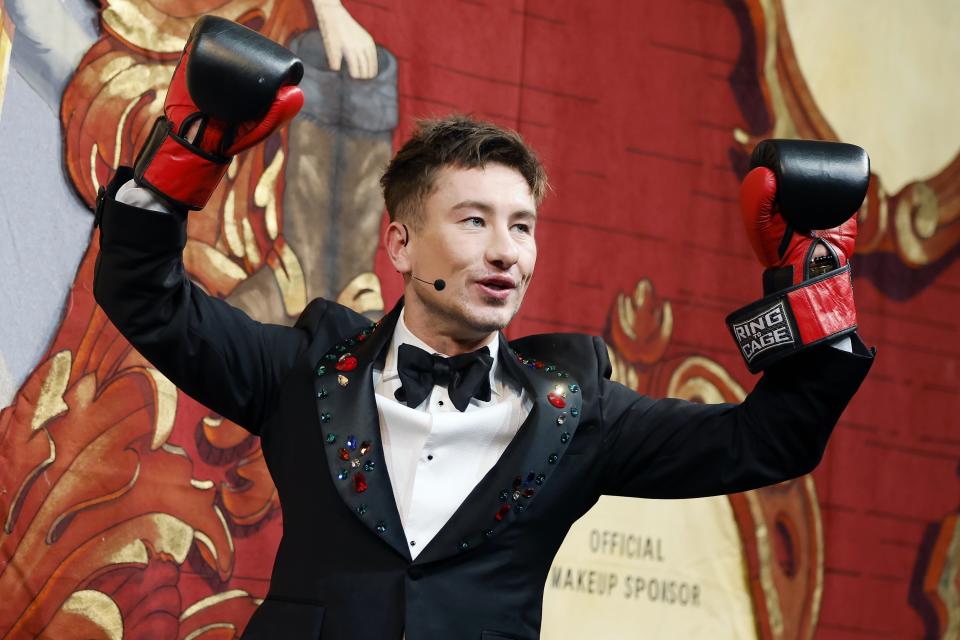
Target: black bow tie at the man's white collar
465,376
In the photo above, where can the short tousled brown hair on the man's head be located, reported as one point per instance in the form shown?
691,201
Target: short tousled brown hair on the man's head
457,141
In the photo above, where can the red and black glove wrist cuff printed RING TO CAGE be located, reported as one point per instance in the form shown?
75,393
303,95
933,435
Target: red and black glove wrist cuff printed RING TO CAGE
793,319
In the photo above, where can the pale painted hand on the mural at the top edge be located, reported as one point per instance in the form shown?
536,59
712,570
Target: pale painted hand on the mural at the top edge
345,39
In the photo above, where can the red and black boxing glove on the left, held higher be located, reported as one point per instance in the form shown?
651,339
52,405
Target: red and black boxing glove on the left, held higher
234,87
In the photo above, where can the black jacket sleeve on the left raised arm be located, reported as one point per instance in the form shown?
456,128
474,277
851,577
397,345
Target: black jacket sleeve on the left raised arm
213,352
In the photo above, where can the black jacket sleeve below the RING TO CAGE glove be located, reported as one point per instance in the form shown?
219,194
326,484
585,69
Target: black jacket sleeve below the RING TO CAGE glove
678,449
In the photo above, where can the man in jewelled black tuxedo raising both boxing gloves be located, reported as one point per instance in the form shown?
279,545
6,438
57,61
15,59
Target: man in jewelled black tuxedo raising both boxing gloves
428,469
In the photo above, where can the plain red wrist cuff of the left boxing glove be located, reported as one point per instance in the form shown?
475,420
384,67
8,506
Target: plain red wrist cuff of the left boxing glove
182,174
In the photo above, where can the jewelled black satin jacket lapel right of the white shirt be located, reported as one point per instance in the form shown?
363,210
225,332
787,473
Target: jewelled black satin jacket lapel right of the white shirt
525,467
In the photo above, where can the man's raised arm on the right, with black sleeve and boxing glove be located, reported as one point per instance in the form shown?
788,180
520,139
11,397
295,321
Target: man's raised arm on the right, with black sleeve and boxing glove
798,206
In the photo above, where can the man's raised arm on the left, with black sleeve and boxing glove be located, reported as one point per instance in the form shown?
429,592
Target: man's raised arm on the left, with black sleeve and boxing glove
230,90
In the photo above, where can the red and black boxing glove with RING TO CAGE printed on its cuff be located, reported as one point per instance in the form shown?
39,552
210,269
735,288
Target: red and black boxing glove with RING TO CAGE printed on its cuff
798,205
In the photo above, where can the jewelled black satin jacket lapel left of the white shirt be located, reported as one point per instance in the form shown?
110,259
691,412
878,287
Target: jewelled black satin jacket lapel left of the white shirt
348,419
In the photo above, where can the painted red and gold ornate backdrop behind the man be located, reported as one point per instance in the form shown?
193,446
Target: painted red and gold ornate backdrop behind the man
130,511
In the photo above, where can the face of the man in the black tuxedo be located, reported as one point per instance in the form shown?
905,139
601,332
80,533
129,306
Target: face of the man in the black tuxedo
477,235
